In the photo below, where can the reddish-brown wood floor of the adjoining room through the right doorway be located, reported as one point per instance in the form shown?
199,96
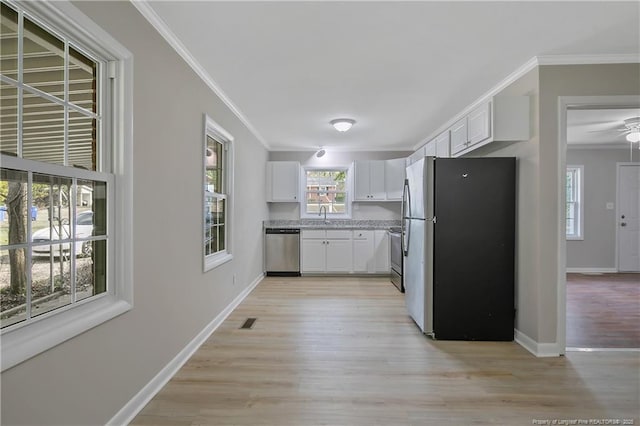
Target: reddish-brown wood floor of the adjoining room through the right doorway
603,310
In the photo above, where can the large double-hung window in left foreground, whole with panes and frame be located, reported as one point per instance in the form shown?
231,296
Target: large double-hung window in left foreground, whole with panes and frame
65,149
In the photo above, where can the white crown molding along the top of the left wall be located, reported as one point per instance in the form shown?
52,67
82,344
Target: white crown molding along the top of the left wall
158,23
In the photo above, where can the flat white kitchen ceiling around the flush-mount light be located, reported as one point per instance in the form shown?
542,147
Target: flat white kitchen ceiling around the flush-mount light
400,69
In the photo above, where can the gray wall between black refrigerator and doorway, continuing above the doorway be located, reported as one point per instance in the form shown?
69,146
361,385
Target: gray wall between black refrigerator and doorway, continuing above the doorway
539,184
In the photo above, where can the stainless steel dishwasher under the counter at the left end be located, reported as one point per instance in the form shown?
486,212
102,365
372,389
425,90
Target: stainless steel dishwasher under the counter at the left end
282,252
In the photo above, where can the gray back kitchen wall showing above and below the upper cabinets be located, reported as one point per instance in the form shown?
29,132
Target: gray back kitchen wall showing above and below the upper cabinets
366,210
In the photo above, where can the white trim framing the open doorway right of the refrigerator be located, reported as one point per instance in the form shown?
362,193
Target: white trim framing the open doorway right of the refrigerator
565,103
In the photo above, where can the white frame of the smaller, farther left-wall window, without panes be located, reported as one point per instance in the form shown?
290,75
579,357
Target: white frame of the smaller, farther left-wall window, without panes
217,132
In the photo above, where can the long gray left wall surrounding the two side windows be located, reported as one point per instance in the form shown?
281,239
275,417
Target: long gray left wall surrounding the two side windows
86,380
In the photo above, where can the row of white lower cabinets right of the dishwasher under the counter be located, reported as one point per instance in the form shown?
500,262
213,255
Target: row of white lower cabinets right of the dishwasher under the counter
345,251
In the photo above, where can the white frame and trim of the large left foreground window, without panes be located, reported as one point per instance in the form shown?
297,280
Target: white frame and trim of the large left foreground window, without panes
25,340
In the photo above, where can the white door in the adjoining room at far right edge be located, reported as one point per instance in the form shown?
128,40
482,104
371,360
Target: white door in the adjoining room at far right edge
628,220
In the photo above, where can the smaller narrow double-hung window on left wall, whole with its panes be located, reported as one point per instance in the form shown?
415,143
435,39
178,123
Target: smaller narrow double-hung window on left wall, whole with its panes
218,194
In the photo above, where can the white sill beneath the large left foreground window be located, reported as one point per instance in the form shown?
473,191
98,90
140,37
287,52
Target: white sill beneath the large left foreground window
22,343
